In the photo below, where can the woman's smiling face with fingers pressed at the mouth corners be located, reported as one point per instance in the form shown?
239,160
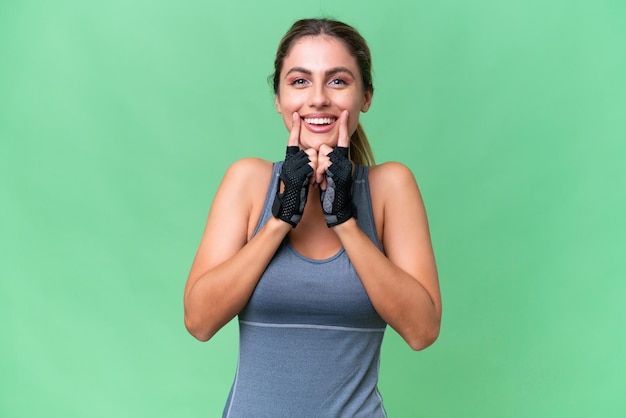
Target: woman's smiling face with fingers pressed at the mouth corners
320,79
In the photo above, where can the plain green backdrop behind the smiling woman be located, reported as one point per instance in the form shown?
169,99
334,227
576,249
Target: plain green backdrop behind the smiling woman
118,119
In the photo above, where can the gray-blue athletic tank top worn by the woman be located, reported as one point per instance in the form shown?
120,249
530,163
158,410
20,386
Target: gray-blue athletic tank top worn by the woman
309,336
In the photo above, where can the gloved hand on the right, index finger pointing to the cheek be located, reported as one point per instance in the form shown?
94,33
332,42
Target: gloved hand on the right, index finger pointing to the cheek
336,190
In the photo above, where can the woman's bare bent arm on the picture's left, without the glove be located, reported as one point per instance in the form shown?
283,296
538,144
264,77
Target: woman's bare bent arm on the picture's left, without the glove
227,266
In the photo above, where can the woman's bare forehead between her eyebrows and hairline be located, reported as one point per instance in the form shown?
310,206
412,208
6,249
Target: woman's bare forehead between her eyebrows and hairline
319,52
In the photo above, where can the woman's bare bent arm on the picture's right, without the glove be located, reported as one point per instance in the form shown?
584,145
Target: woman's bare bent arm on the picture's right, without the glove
402,283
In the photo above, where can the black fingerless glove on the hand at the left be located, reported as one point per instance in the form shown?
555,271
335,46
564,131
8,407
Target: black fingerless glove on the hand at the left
294,183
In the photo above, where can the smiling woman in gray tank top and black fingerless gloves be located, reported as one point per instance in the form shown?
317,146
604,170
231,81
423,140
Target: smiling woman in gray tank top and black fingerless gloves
317,253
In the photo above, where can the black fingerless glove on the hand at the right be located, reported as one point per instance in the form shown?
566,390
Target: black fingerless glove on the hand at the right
337,198
